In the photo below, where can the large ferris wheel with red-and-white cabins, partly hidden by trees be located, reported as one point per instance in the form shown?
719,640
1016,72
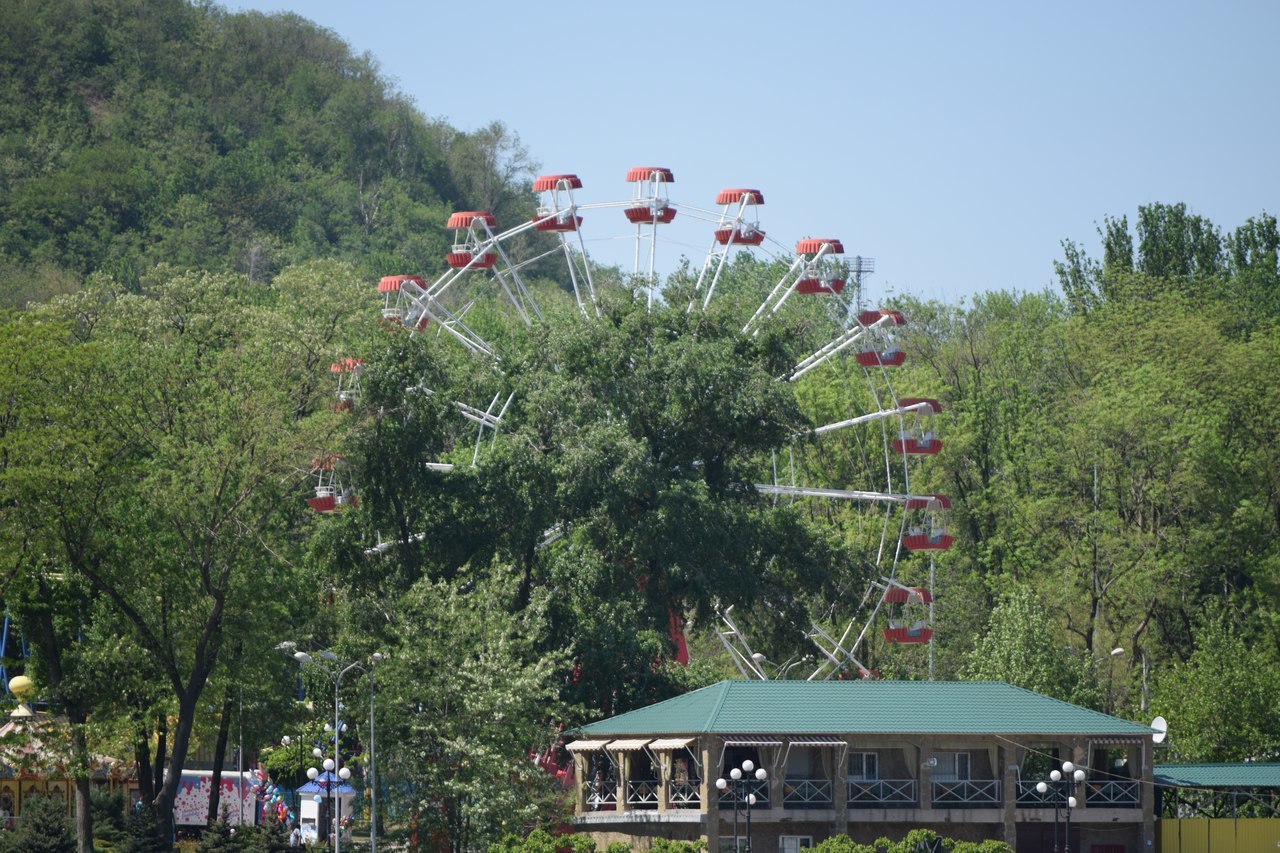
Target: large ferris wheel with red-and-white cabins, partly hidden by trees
860,457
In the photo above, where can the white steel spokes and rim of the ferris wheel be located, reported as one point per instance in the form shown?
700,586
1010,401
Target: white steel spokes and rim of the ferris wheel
816,268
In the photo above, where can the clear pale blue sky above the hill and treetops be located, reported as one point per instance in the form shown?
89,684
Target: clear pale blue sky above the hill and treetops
954,143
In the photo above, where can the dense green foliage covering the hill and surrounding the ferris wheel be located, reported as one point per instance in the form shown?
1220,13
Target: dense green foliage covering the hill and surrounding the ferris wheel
195,209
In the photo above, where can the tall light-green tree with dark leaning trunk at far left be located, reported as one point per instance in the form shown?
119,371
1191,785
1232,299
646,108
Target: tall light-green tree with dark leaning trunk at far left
177,513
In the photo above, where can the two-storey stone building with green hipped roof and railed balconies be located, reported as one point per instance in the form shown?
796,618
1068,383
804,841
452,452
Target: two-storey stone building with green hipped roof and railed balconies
866,759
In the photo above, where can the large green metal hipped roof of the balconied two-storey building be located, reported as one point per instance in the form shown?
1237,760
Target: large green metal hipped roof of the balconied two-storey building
863,706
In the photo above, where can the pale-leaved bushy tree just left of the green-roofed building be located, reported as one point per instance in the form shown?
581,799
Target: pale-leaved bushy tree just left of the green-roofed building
465,697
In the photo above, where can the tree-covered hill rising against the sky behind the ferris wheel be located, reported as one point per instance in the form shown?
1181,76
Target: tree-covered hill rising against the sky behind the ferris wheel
135,133
